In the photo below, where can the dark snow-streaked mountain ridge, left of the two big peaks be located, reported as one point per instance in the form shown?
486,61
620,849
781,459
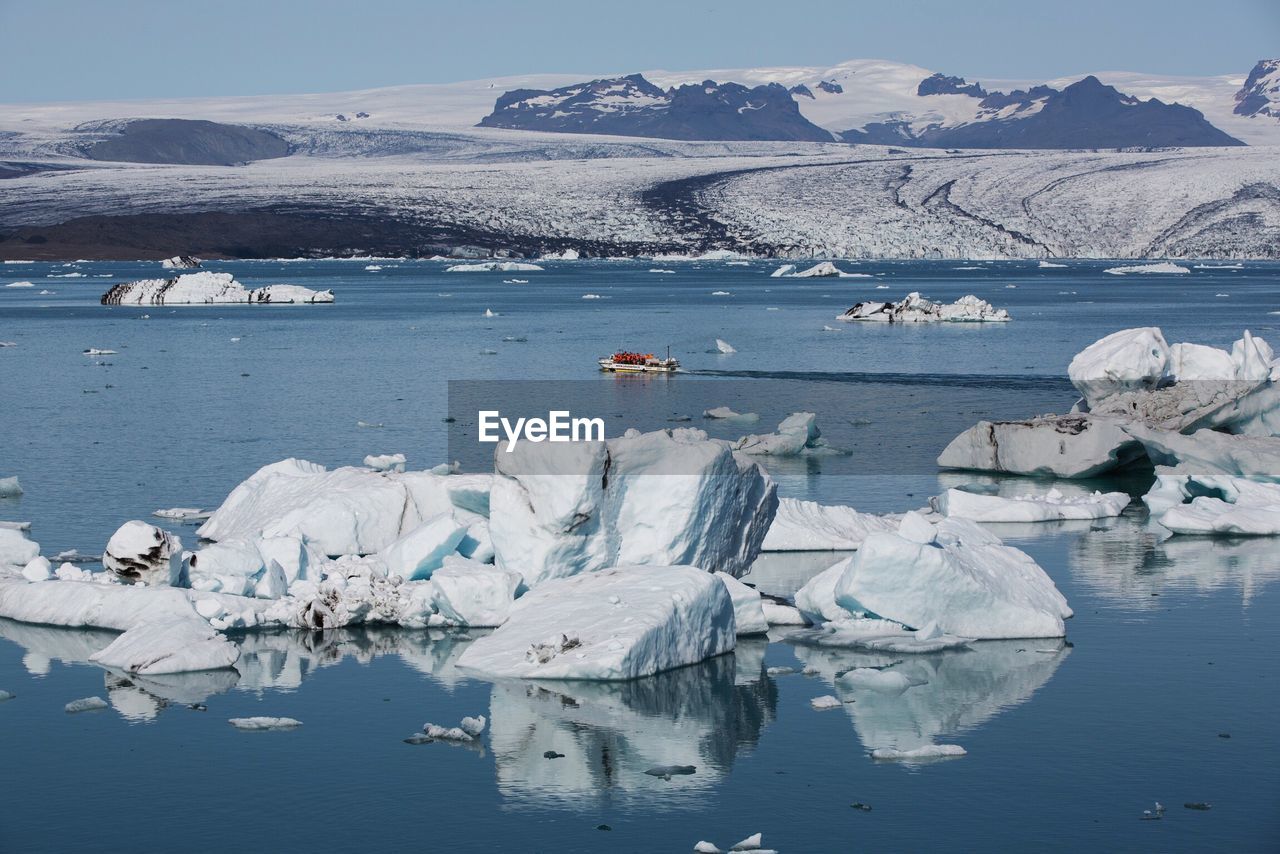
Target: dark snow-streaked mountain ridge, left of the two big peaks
634,107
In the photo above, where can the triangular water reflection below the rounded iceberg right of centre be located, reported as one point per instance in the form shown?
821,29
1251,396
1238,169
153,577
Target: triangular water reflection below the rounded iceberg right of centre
904,704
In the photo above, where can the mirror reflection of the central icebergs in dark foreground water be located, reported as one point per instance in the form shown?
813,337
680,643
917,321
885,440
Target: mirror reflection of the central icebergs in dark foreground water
612,737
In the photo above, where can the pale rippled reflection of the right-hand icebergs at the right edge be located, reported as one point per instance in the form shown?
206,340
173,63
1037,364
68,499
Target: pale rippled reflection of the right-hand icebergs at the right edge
1130,561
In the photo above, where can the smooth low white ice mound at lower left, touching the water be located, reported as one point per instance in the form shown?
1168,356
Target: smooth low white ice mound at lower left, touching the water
168,647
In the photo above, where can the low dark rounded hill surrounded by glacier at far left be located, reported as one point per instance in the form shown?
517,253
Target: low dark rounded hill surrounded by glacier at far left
188,143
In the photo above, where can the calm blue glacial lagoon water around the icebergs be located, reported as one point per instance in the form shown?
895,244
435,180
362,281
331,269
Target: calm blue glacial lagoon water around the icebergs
1172,650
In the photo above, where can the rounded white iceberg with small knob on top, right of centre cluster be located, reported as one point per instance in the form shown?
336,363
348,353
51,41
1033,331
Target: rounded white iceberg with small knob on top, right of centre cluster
966,581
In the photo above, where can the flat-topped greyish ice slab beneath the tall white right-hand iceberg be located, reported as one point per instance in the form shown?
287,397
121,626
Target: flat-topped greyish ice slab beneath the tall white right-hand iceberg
1063,446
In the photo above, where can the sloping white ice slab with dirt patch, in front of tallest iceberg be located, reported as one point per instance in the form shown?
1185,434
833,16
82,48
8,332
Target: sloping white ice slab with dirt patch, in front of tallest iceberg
569,628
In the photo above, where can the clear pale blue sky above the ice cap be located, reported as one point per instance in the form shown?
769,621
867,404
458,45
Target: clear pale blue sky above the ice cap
115,49
